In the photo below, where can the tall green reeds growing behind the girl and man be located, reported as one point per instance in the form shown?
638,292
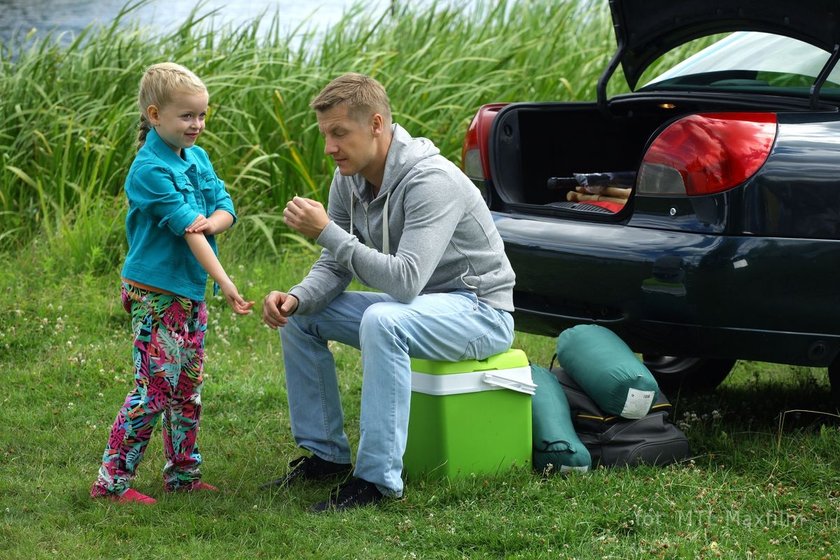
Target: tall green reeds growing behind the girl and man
68,107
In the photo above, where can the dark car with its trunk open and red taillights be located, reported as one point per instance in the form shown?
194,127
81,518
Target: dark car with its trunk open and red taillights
697,217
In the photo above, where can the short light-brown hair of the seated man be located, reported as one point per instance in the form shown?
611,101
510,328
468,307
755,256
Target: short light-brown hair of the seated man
362,95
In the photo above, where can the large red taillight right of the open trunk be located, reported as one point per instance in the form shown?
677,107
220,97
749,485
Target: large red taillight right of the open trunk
707,153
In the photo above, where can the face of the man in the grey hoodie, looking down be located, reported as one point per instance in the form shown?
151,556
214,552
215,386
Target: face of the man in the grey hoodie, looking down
351,142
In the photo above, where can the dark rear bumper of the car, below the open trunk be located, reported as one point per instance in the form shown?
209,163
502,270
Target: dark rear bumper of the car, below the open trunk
678,293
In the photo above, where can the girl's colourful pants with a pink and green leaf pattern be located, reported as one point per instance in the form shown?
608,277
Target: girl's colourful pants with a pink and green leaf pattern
168,373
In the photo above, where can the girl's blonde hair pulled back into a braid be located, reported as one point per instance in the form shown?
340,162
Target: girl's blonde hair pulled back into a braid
157,87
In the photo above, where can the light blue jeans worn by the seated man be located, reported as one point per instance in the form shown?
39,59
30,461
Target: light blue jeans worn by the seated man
447,327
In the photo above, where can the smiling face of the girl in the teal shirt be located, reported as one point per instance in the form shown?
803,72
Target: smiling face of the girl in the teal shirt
181,120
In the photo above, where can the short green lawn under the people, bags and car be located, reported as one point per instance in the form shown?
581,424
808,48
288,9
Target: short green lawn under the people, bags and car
753,489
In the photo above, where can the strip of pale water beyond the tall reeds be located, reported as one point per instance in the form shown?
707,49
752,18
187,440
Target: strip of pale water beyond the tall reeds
20,17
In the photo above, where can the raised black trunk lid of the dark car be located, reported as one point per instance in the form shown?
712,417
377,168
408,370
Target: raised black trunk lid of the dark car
647,29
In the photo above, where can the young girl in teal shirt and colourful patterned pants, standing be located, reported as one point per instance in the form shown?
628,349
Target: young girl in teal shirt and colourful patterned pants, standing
176,204
